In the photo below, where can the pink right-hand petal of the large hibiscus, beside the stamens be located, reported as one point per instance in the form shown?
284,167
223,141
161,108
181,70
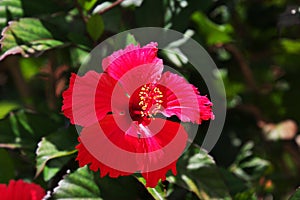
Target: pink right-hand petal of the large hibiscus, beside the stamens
183,100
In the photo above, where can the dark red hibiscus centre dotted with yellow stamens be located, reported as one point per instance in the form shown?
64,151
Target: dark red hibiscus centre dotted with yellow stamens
145,103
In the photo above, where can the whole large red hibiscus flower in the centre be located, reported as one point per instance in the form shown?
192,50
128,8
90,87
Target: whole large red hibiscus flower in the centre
122,113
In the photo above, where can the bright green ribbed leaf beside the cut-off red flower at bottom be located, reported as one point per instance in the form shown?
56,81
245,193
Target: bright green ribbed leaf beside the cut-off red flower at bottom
77,185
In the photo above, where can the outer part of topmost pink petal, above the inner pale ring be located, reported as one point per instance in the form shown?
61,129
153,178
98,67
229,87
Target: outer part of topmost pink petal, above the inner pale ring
122,61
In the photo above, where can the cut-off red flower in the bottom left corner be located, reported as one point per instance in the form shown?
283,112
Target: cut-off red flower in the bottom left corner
20,190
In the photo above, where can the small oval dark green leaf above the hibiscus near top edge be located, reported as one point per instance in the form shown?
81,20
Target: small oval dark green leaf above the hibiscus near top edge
95,26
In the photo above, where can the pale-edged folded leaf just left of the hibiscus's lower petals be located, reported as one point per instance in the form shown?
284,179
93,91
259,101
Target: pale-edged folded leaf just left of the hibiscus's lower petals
47,151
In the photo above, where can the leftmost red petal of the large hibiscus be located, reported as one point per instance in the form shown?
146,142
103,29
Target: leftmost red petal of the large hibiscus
88,98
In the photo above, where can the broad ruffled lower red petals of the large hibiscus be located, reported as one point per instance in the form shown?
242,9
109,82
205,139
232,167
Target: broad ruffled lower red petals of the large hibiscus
117,153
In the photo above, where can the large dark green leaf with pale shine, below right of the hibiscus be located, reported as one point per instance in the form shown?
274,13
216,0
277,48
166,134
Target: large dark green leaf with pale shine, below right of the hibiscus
199,174
